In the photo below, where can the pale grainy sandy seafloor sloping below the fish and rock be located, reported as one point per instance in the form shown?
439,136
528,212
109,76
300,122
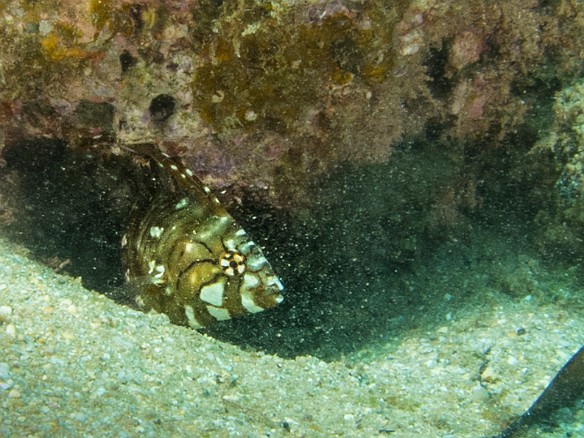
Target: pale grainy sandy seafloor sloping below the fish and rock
73,363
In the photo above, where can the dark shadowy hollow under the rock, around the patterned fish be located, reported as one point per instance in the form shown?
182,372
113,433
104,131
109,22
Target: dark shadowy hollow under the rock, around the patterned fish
347,264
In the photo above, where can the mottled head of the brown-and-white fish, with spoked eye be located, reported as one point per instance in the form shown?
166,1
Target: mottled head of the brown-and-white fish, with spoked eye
224,273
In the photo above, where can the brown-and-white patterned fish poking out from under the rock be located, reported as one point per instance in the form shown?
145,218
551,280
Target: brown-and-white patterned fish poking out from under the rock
186,255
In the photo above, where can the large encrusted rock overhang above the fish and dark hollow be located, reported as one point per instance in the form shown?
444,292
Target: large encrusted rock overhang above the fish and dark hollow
268,96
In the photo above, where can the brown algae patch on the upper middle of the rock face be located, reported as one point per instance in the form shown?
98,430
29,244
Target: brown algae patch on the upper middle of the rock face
262,57
